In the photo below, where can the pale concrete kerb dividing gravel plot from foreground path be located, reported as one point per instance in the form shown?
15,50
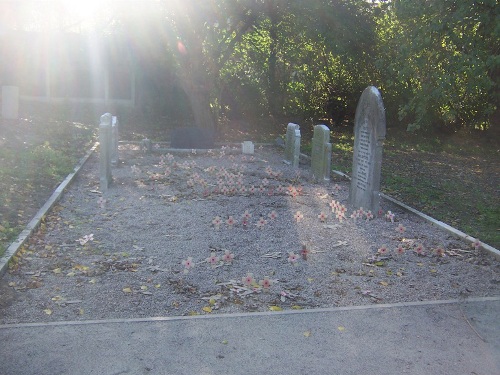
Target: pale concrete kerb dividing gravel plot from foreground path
254,314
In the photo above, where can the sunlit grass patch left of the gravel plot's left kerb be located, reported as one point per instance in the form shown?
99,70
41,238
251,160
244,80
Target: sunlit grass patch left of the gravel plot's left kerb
35,156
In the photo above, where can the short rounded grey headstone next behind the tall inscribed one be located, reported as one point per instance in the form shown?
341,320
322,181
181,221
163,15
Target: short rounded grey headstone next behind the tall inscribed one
321,158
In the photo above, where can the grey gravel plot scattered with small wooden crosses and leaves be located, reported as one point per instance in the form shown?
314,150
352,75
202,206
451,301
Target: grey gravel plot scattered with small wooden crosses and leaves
159,213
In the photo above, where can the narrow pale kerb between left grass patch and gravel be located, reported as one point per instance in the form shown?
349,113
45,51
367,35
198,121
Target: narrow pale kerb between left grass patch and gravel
40,215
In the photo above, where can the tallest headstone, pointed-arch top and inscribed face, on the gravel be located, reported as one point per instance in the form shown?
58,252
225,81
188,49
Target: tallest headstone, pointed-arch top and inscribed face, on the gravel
369,136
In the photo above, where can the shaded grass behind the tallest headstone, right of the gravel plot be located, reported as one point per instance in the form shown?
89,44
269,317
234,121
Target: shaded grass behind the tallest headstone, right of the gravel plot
452,178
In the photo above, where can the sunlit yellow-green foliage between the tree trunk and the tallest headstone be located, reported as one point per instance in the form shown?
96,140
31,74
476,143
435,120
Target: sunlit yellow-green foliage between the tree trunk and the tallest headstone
300,60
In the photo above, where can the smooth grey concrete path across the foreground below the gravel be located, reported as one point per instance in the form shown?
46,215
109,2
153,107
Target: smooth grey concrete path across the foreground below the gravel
442,337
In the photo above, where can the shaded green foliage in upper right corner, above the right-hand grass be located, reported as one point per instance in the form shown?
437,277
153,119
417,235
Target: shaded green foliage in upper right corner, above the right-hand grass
439,61
